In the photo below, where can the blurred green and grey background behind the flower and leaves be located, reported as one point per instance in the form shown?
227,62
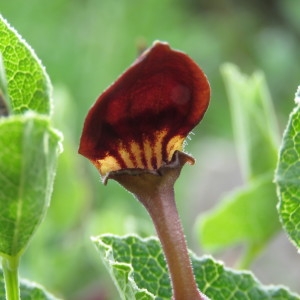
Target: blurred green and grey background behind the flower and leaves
85,45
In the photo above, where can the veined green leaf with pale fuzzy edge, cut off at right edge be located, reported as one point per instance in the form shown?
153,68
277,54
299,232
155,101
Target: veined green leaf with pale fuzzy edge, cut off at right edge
287,176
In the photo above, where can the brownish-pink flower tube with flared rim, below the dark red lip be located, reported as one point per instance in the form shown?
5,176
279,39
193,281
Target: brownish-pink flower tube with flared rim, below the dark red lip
155,190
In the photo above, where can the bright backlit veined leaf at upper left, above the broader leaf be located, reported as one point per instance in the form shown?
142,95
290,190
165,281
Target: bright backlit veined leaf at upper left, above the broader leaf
28,85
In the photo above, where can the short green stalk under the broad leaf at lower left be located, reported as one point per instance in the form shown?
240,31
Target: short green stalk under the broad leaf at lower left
10,266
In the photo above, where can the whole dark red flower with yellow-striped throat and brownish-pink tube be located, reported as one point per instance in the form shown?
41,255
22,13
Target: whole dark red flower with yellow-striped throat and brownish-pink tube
135,134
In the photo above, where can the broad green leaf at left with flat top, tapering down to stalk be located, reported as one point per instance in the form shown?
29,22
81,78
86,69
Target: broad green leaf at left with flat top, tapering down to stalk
29,149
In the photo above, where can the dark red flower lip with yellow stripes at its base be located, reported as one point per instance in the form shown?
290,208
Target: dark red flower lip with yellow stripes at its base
144,117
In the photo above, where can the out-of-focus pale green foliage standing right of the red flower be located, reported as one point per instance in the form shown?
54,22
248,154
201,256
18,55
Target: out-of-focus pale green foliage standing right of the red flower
248,215
